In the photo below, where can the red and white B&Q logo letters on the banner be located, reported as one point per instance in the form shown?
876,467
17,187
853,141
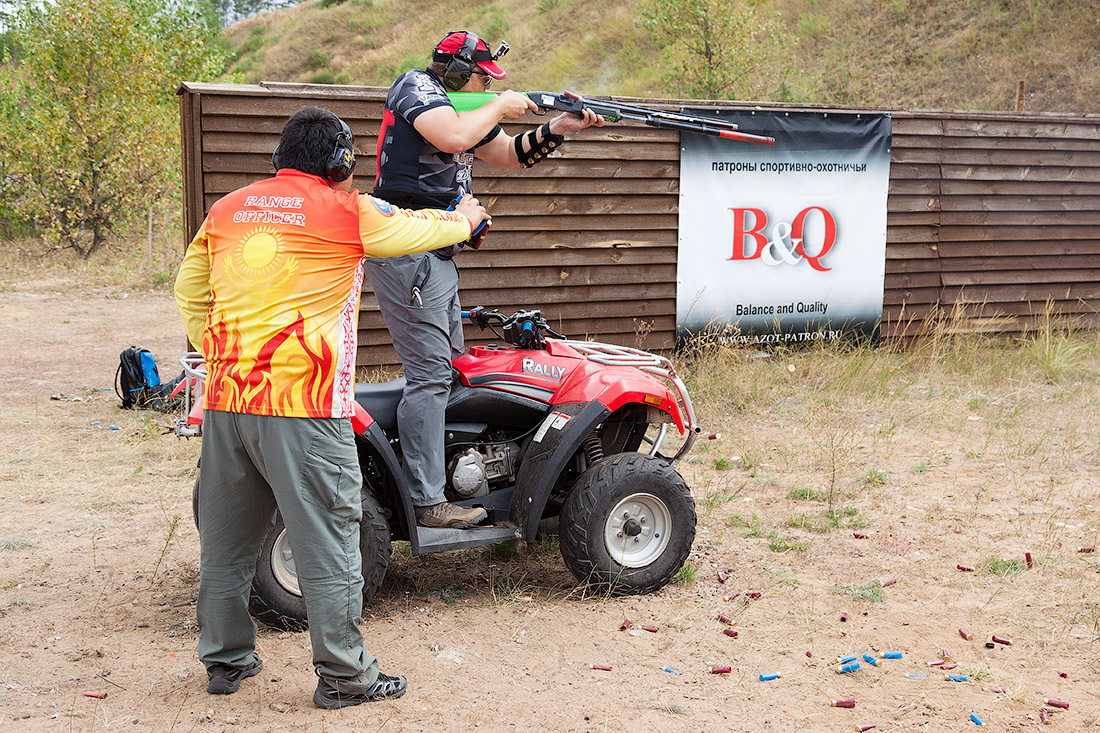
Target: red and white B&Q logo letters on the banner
788,245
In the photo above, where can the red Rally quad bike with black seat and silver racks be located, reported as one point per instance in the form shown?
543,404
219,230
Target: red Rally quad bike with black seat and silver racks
542,426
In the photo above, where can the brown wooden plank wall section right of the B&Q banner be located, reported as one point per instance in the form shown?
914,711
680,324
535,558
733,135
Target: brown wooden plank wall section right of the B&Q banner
994,220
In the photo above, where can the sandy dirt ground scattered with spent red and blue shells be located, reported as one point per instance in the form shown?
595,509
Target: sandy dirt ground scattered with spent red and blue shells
100,559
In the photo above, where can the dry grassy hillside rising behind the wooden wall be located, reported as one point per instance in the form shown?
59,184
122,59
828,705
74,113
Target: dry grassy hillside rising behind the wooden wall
955,54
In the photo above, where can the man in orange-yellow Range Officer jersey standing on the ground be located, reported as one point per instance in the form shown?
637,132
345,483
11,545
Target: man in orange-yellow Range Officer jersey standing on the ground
270,288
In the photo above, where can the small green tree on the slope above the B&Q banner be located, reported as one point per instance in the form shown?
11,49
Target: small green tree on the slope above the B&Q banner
721,49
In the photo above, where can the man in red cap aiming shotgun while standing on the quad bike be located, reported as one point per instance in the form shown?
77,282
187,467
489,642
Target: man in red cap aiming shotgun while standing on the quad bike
426,154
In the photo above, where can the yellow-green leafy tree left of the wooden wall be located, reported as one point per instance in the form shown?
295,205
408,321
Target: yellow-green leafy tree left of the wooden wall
90,132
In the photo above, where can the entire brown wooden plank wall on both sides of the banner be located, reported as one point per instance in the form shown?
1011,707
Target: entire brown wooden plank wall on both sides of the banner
993,214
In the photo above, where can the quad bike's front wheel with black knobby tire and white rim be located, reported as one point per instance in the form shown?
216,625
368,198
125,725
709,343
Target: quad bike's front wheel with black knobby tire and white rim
629,523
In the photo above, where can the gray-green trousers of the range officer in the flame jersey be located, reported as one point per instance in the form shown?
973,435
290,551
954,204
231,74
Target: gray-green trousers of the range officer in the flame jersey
311,469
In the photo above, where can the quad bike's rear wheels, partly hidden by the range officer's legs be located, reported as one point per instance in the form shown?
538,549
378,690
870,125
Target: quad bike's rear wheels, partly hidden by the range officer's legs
277,597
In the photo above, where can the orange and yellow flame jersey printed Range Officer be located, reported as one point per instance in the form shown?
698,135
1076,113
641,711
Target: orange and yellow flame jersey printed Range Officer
271,283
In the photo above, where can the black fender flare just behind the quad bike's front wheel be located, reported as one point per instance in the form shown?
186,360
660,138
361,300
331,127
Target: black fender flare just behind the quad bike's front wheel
554,444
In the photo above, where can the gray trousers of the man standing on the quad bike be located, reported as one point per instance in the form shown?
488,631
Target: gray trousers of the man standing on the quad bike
427,334
